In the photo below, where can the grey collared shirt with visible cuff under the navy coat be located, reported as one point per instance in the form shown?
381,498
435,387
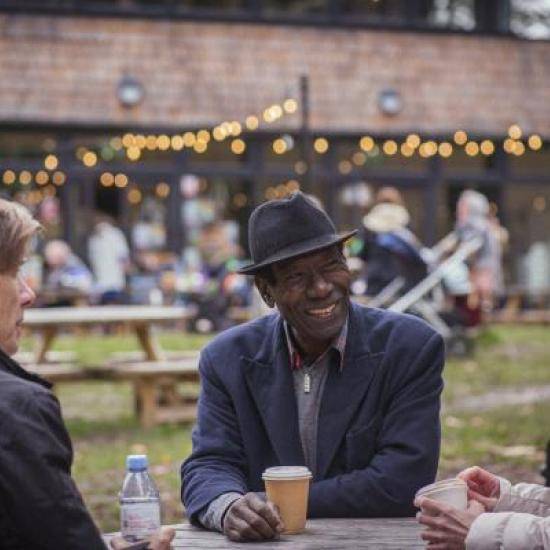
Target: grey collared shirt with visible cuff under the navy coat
308,405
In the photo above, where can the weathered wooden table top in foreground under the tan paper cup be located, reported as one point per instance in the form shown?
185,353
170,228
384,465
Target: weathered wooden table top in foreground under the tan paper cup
320,534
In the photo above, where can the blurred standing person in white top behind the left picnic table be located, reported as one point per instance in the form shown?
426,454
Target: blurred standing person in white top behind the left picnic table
109,257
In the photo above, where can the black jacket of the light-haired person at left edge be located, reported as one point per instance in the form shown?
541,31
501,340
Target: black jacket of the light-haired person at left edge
40,506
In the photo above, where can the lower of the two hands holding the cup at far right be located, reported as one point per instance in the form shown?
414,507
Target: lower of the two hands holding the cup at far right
447,527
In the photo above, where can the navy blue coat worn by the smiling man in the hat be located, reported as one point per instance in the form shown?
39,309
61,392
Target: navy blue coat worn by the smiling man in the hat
379,432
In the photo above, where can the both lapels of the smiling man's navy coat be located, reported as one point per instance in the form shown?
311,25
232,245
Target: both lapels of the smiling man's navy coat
269,378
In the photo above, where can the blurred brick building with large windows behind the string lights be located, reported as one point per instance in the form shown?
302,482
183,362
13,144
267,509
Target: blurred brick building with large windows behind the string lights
64,73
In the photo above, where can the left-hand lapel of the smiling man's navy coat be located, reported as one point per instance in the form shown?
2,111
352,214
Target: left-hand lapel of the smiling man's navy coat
271,384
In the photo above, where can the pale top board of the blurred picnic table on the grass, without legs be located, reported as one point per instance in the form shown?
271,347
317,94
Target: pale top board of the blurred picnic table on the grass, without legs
40,317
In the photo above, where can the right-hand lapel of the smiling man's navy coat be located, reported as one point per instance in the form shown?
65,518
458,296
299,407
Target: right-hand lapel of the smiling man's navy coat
344,392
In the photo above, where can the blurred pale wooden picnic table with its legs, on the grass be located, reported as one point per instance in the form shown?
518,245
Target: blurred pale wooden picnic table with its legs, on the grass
49,321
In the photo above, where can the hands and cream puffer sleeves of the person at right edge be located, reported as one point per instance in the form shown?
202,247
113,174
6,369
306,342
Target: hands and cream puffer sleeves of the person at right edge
499,515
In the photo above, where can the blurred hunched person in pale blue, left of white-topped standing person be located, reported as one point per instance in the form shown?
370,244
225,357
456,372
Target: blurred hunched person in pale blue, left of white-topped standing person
67,277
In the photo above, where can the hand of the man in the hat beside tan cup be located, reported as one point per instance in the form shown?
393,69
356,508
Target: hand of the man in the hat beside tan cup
252,518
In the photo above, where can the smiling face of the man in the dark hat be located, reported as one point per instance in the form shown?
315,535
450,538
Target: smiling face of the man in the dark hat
312,294
